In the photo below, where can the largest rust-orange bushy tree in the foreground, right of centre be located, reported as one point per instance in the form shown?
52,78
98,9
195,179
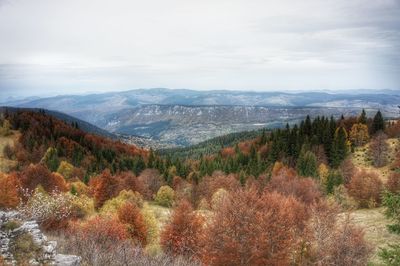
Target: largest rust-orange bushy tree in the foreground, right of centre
249,229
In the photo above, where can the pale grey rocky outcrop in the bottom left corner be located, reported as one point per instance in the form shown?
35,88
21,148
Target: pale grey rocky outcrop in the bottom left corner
18,237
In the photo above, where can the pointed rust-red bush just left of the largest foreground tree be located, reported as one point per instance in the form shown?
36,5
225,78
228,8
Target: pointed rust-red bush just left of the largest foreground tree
182,235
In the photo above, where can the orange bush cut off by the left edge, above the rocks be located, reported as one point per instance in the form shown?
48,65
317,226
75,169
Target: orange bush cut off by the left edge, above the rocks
9,191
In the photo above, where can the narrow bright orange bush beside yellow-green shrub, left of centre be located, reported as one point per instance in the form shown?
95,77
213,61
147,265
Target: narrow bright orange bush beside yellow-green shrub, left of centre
130,215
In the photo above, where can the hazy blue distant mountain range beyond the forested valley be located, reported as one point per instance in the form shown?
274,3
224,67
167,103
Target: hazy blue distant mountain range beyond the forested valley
184,117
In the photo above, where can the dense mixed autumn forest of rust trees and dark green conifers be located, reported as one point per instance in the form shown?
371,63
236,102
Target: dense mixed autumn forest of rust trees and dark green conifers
268,197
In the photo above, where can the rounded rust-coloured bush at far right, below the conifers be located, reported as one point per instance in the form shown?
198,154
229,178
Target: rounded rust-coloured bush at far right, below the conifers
365,187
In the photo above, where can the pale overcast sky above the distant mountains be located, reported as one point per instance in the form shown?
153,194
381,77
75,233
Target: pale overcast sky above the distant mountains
51,47
